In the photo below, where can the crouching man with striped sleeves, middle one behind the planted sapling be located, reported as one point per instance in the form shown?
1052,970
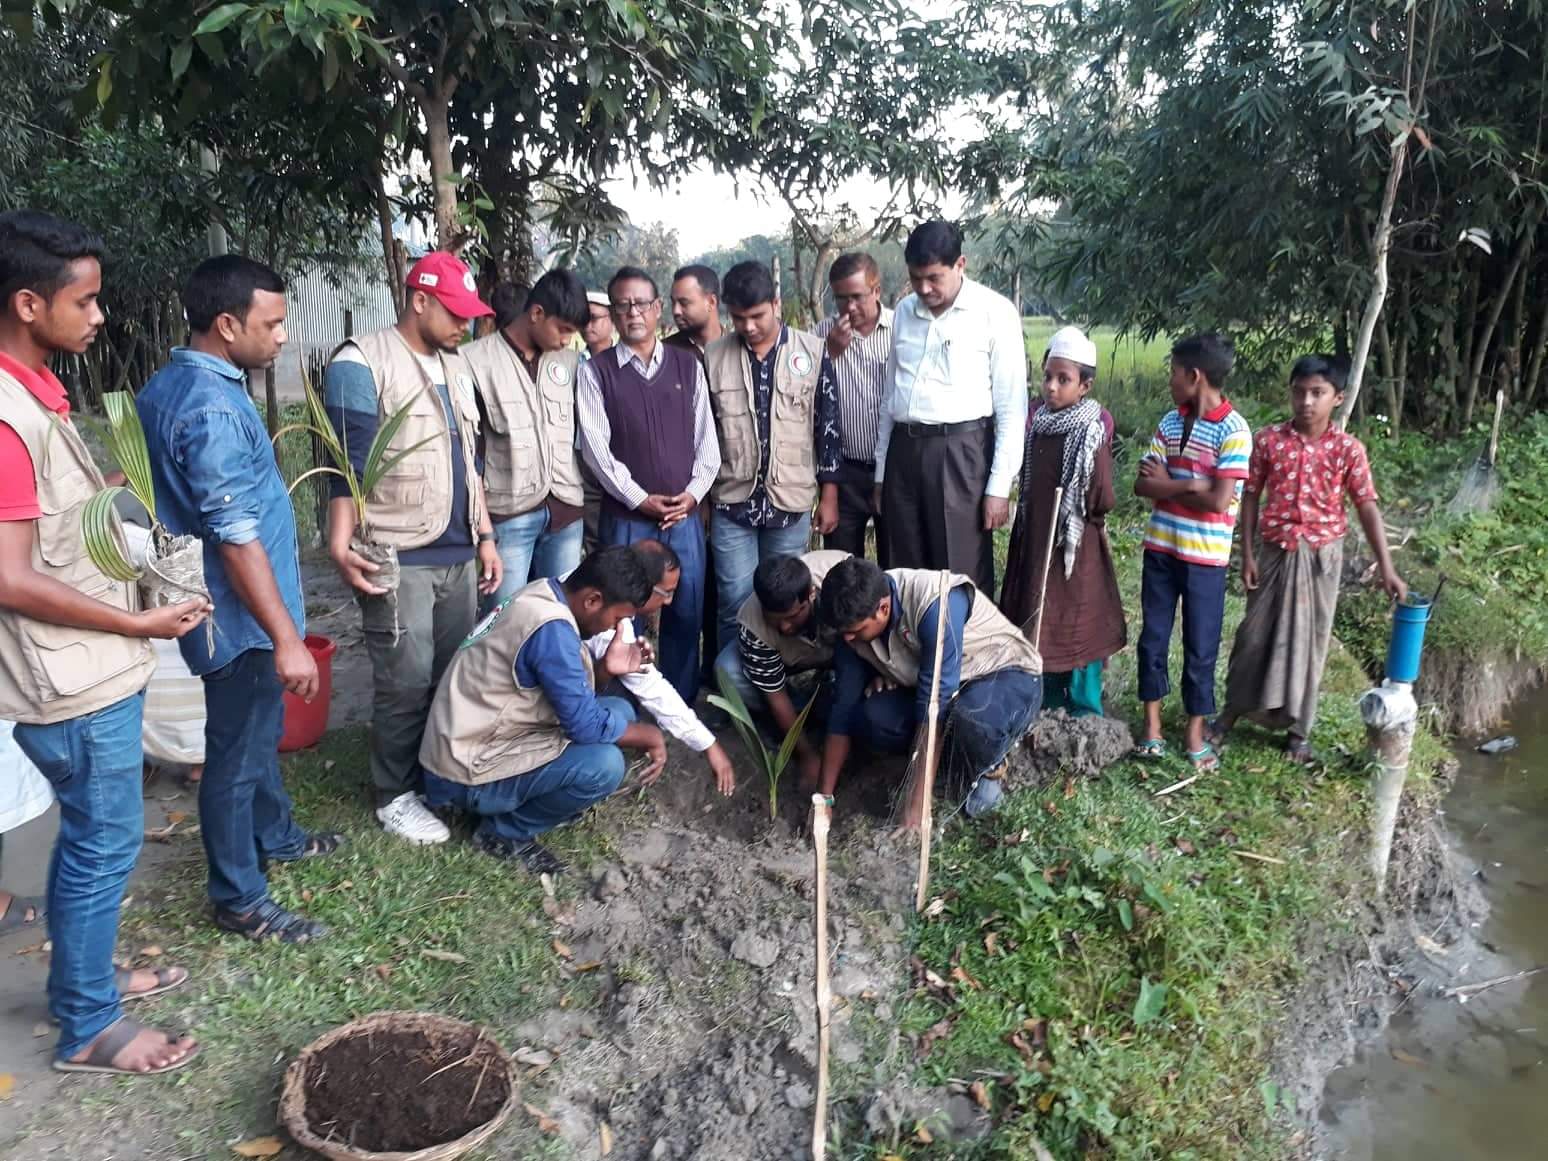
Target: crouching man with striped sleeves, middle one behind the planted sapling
779,639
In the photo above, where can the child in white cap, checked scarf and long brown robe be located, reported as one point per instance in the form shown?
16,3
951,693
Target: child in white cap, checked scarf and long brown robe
1069,445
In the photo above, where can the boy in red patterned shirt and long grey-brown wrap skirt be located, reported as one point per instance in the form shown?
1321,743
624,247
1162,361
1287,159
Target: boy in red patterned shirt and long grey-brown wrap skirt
1307,467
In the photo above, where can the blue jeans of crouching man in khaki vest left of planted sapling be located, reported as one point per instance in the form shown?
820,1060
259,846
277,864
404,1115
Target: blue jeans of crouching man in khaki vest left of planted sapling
529,806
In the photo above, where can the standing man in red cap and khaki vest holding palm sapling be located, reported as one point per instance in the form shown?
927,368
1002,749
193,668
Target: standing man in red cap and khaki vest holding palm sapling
430,507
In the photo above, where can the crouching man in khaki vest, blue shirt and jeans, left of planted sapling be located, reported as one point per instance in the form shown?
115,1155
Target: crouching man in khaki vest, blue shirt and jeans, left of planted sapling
518,735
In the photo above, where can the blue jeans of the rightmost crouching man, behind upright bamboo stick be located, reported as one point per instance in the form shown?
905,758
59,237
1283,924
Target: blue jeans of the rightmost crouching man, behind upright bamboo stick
987,717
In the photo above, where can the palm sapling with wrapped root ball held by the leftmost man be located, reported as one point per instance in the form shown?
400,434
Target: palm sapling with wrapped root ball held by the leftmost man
174,567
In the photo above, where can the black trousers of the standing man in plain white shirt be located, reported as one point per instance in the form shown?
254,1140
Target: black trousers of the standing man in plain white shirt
933,501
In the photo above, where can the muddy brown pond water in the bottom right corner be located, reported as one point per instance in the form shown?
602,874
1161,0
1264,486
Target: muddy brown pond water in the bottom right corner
1450,1081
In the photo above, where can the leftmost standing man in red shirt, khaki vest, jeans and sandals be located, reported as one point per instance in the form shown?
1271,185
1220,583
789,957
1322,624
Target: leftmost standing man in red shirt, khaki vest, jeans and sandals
74,662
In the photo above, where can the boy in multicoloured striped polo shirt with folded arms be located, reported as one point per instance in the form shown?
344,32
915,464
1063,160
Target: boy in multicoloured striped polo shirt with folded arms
1193,474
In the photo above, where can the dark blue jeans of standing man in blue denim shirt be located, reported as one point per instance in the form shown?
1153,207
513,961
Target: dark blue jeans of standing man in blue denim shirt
244,810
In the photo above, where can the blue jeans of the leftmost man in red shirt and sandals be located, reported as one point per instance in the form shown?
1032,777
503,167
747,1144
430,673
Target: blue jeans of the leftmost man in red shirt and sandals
95,767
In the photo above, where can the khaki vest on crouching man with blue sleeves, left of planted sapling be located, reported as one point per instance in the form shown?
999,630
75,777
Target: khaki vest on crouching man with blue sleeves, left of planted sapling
484,727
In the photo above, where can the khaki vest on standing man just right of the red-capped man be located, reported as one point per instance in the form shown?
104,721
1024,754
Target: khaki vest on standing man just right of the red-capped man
530,448
